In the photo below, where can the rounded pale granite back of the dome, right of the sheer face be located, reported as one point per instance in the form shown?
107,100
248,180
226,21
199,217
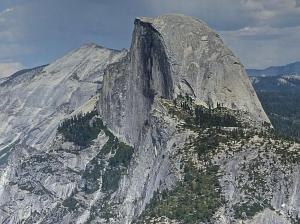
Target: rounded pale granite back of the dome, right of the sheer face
202,66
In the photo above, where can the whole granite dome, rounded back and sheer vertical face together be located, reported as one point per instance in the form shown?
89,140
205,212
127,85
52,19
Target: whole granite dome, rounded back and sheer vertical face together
176,55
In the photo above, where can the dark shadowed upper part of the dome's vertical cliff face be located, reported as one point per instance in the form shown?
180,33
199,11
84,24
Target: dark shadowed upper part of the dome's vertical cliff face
155,70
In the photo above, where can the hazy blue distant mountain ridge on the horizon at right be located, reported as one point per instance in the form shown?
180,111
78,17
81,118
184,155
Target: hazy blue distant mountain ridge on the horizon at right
289,69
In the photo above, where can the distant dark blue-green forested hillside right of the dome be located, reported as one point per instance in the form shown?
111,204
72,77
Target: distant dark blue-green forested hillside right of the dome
280,97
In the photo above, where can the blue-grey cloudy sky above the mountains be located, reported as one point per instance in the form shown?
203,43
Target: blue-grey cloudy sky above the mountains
36,32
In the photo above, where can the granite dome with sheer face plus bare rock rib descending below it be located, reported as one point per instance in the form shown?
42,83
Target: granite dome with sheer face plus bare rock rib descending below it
170,55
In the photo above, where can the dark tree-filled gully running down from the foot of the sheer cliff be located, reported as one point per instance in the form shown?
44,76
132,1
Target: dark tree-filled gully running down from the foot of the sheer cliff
109,166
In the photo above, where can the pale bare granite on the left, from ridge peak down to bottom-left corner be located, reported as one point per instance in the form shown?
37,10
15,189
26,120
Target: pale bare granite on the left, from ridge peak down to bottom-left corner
32,105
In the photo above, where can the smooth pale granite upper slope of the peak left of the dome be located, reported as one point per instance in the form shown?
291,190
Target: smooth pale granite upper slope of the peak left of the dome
32,103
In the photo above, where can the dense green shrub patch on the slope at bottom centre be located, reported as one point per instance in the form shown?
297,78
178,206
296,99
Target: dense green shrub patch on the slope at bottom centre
194,200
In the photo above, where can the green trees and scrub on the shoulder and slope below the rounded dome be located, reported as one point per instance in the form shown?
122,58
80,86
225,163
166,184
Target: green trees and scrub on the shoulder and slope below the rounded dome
216,128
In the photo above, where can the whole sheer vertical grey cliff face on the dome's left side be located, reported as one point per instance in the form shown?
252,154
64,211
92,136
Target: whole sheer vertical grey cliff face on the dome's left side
148,75
